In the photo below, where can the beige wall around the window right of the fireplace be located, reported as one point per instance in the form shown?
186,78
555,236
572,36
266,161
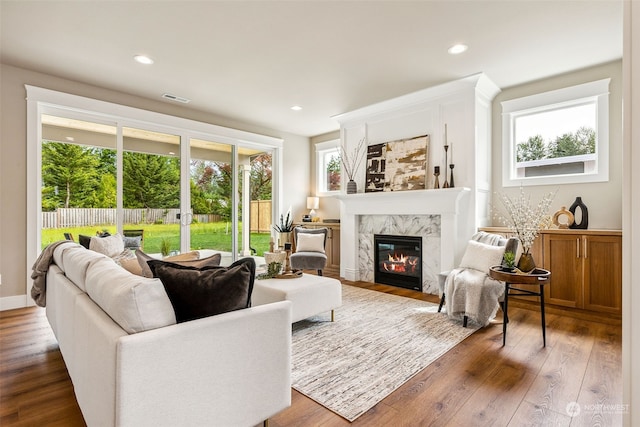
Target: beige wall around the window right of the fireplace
603,199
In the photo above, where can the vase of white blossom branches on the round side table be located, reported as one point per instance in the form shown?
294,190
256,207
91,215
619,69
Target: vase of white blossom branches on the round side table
525,222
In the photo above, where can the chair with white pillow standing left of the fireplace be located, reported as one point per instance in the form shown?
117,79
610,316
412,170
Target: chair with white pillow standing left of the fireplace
310,249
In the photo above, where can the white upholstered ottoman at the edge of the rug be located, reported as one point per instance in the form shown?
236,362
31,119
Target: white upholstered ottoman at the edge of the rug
309,294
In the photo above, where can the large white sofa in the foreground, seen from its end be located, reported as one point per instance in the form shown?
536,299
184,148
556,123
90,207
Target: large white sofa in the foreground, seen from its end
132,365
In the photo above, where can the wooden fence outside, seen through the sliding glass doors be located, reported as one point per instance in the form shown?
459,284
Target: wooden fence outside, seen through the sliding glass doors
81,217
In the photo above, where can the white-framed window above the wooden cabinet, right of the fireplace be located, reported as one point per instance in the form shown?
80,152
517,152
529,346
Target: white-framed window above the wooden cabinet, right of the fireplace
557,137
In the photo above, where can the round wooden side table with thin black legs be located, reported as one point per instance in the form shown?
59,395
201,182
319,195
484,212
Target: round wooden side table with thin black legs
538,276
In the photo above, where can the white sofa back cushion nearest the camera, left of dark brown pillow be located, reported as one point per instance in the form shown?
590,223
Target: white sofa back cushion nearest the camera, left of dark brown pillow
136,303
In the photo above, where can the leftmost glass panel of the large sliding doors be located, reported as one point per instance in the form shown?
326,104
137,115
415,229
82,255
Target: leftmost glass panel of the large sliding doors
78,185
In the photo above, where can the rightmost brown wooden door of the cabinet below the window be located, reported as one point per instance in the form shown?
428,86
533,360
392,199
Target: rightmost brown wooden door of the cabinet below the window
602,273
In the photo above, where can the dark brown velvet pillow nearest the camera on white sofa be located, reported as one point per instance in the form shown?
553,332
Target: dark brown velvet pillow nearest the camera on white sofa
201,292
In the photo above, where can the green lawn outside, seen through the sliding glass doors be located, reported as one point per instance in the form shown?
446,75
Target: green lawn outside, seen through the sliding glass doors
203,236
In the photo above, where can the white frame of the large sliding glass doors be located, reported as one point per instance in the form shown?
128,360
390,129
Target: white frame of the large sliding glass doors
46,101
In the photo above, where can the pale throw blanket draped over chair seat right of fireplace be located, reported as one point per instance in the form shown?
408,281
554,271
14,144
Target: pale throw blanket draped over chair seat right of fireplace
474,294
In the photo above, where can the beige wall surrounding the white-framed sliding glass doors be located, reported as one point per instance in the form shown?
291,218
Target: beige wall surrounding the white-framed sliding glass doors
15,268
